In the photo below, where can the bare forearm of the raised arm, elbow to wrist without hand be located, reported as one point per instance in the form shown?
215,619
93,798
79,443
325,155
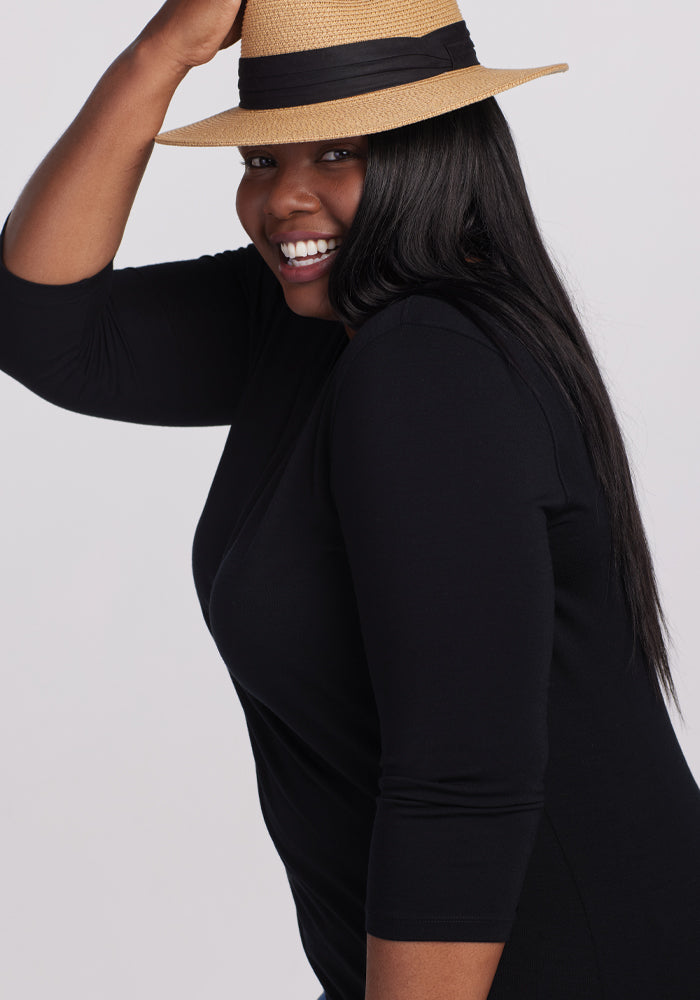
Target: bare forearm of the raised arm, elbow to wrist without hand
70,218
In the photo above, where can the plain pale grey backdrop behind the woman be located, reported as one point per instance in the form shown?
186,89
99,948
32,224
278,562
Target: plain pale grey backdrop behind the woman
135,862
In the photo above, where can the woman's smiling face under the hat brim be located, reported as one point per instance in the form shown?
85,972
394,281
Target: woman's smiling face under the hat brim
291,196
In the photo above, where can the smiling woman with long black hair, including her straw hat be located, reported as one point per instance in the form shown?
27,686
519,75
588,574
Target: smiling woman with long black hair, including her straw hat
421,557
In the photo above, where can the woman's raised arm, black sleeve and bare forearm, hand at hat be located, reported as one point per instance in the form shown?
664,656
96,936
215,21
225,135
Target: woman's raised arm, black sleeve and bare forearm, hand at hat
164,344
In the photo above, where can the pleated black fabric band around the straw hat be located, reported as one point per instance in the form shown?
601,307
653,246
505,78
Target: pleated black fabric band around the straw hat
315,75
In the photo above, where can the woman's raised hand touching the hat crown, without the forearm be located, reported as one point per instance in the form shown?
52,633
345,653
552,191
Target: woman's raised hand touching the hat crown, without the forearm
191,32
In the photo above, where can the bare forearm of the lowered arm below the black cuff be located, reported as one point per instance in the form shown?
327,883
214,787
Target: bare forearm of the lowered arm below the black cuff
430,970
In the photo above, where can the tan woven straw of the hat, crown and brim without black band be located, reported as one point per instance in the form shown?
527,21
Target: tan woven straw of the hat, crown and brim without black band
276,27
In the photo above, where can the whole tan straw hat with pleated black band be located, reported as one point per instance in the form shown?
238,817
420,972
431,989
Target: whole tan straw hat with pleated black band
321,69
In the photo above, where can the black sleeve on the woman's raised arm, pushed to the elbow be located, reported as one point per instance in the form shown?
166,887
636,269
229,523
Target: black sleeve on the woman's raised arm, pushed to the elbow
164,344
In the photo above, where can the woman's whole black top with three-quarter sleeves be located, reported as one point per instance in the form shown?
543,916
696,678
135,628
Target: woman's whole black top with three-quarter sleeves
404,560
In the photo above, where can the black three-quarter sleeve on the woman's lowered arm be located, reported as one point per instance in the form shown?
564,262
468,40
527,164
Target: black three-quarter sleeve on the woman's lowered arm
442,467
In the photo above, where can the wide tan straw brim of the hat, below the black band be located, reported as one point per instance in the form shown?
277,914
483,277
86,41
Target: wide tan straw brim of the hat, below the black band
358,115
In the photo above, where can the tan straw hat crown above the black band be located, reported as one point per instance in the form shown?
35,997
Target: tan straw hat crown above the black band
274,27
